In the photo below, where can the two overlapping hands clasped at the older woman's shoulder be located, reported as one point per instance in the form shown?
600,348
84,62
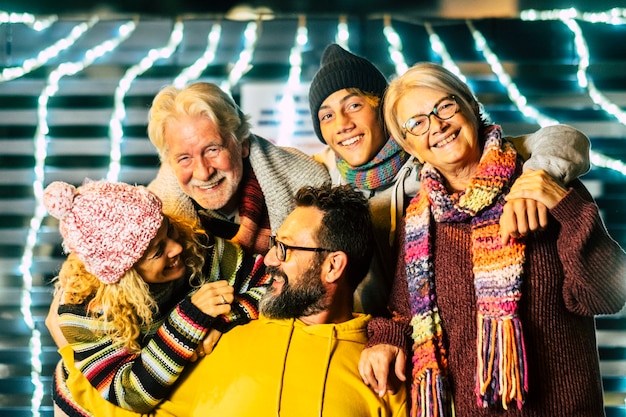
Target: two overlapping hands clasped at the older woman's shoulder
528,202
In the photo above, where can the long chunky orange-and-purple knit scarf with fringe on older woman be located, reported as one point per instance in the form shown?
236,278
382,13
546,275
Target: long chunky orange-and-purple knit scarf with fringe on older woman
501,372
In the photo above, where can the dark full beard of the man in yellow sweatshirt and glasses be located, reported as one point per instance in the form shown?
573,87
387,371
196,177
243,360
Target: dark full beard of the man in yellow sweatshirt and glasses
305,298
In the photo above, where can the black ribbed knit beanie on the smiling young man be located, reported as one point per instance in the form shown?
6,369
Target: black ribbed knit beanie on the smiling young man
341,69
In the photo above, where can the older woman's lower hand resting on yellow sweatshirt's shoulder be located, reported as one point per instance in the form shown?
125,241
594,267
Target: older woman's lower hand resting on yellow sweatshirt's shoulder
376,364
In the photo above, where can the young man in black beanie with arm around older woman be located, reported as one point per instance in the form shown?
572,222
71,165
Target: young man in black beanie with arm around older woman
345,100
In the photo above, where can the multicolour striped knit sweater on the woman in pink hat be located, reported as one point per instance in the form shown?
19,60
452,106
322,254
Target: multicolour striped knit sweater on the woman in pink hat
139,381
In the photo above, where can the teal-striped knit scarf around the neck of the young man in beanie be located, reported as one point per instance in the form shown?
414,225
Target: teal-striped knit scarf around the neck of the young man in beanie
378,172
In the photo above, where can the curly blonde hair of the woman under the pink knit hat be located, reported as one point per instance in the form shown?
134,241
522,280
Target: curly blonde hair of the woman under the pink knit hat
127,307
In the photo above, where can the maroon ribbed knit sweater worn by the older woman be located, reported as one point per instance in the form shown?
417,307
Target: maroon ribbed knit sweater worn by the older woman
573,271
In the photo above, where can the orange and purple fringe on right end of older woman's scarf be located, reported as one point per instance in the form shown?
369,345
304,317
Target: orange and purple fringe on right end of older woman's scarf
501,373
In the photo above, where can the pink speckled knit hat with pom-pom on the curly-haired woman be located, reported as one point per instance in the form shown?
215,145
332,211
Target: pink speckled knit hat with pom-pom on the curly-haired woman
108,225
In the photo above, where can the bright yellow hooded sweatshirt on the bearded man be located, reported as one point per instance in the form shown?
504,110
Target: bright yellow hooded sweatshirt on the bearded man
275,368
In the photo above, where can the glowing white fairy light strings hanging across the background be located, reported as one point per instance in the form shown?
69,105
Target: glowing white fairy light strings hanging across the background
243,63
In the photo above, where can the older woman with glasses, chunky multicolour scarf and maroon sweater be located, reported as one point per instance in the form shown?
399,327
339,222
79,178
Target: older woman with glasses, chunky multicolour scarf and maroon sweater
492,325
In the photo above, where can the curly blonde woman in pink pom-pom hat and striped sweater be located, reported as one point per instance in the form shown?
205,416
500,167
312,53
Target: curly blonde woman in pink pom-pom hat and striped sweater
135,296
